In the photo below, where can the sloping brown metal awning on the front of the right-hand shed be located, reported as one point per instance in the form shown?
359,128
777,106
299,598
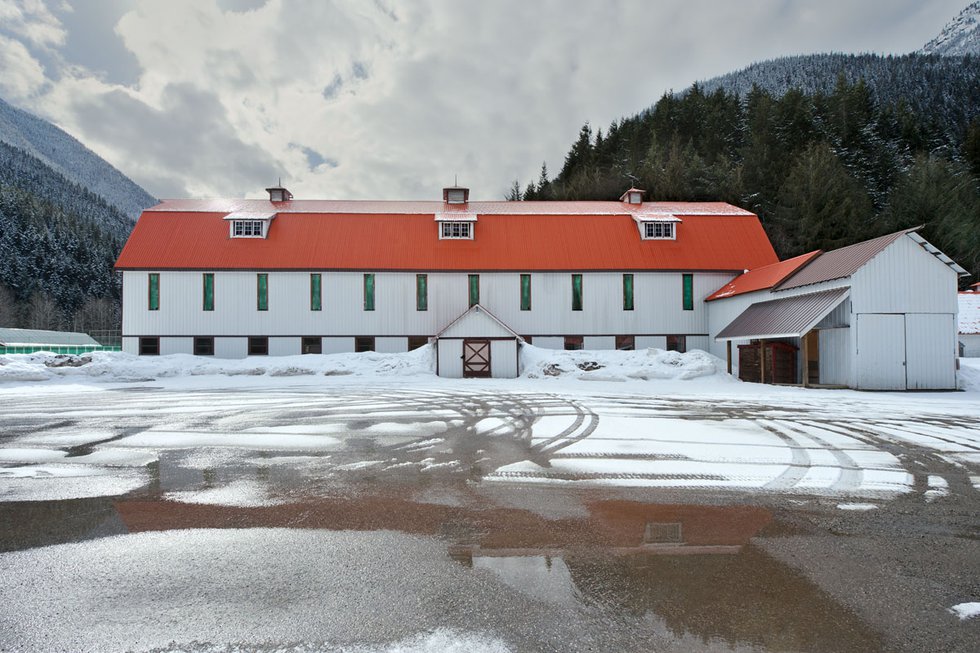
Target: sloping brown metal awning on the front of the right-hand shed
790,317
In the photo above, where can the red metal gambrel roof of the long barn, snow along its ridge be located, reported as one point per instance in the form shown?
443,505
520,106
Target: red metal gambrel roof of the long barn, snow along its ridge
314,235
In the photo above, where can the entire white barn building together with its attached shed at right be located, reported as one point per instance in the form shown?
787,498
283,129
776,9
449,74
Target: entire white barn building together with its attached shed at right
235,278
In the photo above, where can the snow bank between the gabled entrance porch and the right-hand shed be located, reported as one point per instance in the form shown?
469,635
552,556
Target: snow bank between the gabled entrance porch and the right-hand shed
611,365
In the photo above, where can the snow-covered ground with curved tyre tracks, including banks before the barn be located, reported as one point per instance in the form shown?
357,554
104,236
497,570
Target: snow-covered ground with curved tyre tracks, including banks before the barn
649,418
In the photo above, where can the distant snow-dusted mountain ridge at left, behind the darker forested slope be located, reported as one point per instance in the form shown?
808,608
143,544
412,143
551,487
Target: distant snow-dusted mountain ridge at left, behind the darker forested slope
68,157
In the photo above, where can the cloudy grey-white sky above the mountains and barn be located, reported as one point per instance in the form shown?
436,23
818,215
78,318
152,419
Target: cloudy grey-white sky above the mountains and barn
387,99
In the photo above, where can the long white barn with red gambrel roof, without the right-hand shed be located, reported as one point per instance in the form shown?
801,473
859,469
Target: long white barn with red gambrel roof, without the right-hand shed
233,278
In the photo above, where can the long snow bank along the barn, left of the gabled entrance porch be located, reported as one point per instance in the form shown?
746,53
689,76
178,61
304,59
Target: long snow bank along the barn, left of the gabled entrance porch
114,366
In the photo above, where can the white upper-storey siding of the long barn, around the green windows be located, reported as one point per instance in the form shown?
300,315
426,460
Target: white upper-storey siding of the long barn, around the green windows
657,301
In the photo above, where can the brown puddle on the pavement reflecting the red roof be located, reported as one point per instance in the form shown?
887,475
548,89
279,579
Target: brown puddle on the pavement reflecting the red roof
690,573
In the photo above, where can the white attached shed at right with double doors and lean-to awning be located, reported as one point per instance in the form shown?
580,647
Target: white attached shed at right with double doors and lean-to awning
877,315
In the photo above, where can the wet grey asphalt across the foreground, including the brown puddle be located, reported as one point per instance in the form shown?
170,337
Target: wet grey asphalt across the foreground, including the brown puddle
374,557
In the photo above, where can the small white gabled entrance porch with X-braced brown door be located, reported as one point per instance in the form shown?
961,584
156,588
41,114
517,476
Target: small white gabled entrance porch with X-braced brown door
477,345
